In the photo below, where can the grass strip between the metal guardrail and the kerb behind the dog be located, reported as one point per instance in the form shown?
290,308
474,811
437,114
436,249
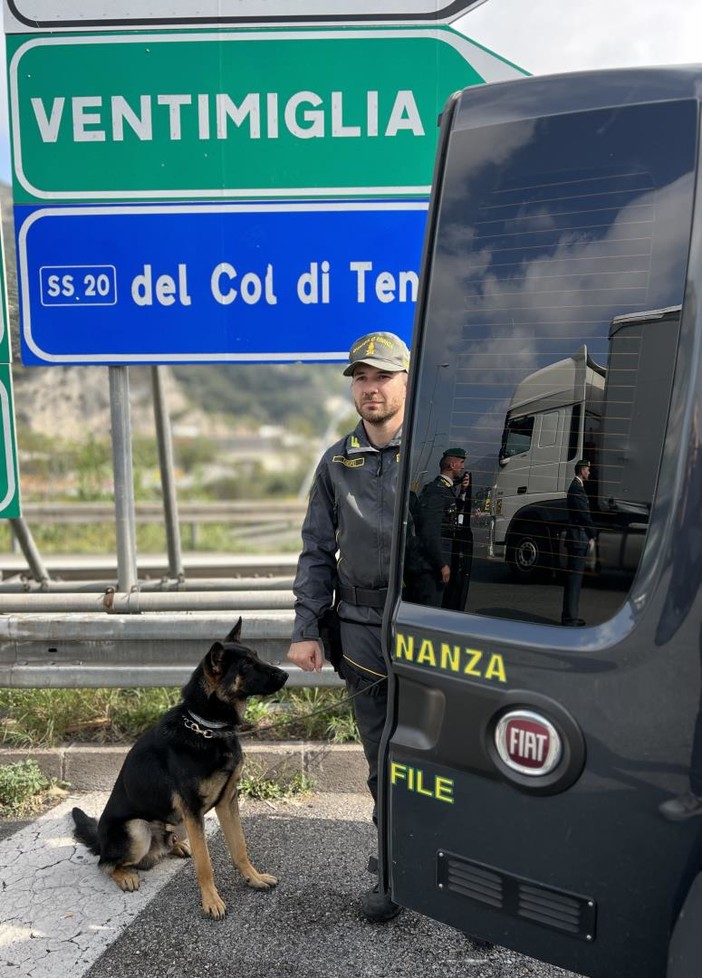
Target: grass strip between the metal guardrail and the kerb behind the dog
39,718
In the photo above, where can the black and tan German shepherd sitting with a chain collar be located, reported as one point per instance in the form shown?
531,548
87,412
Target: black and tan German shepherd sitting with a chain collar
189,763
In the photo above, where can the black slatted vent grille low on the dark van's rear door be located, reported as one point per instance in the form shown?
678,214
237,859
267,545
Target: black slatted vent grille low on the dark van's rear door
565,912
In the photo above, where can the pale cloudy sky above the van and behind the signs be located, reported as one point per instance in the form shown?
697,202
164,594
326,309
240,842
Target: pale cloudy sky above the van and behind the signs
547,36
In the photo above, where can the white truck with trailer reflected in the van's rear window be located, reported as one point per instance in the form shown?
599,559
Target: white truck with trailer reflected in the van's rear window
613,416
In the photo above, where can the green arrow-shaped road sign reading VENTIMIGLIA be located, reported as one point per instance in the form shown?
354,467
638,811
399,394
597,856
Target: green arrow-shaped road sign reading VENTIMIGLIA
268,113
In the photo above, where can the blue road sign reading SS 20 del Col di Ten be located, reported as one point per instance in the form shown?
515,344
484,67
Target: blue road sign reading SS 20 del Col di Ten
214,282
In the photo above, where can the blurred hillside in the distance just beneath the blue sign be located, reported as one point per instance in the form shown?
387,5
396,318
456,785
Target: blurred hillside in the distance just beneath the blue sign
209,399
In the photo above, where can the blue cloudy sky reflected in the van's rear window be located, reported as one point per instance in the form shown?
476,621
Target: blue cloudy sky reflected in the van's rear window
546,232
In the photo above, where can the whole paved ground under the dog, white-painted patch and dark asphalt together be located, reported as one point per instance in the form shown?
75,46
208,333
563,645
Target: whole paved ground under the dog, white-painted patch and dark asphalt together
61,917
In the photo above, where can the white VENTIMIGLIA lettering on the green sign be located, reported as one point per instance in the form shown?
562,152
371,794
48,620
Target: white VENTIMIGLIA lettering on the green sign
258,115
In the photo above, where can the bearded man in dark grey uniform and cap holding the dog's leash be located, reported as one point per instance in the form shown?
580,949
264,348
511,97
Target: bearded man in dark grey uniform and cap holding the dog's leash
347,539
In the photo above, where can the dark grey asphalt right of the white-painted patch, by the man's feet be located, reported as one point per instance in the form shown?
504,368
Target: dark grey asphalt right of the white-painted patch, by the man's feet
309,926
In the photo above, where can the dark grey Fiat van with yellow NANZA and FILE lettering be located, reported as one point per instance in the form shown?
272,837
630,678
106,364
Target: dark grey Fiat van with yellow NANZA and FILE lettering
543,781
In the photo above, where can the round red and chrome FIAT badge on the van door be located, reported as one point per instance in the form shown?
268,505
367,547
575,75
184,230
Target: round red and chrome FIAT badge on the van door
528,743
